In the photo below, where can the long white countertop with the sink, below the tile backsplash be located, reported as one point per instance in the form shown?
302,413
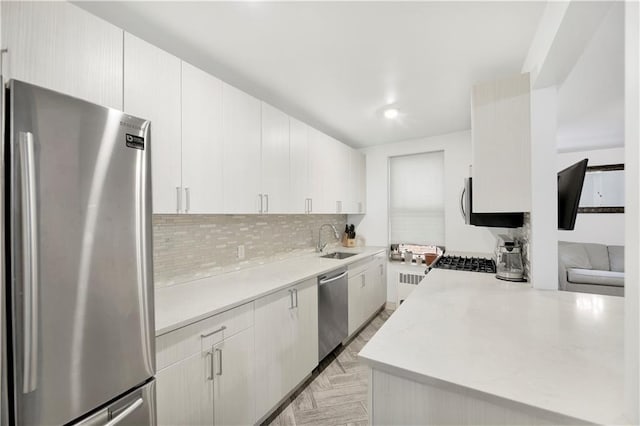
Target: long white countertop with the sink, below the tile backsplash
182,304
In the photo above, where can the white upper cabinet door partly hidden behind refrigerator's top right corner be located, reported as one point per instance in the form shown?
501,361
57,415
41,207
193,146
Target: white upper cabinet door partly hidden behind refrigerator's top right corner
152,91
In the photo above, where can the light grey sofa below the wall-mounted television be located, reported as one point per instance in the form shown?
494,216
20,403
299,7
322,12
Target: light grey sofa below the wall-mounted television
591,268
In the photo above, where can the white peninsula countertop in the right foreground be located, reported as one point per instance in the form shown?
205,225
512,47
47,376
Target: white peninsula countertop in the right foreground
558,351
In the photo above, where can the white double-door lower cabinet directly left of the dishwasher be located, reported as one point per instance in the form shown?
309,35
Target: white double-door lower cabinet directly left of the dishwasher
286,342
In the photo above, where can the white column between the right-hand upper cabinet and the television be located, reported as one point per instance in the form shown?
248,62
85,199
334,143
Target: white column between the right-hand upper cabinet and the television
544,200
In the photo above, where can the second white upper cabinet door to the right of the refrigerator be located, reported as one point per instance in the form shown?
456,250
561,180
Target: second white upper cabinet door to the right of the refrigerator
202,165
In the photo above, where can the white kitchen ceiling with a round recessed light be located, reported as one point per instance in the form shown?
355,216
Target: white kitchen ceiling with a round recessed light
336,65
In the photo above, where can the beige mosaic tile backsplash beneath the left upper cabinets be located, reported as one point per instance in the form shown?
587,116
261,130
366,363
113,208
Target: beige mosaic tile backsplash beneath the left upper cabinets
188,247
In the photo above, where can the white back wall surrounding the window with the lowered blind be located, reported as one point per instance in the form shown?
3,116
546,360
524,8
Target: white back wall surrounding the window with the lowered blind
374,226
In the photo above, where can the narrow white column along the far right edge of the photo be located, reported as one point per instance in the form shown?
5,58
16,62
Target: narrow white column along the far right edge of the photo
632,212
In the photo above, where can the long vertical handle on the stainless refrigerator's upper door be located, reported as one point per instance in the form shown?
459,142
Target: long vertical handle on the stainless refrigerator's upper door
29,262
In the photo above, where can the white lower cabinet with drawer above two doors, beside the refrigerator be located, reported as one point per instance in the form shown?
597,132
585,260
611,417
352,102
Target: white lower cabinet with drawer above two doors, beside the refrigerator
206,371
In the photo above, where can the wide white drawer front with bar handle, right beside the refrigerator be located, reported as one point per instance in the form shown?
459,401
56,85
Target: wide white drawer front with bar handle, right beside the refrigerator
201,336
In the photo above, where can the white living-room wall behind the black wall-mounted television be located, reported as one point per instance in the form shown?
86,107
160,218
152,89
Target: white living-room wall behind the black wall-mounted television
594,227
